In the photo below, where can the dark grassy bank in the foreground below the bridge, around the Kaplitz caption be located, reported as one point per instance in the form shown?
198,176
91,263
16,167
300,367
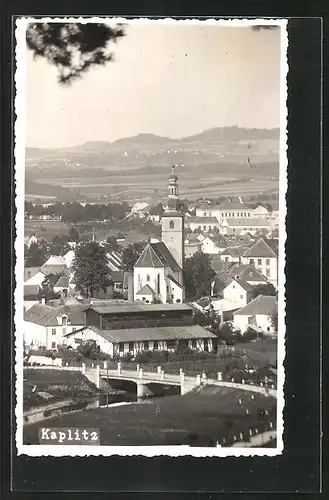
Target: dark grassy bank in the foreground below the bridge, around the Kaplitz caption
210,415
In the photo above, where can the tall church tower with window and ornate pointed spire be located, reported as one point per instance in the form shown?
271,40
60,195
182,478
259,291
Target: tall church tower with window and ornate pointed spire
173,223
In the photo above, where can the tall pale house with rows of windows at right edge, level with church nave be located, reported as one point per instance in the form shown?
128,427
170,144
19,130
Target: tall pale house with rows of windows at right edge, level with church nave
264,256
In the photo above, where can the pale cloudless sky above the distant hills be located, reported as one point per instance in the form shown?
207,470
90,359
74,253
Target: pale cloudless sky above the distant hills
169,80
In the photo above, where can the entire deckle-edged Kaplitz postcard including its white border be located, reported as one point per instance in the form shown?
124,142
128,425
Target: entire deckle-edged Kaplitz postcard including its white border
151,175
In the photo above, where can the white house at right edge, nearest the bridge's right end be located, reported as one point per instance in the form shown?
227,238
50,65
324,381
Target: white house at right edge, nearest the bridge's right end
260,312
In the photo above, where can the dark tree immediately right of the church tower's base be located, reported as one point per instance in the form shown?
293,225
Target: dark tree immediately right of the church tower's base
198,275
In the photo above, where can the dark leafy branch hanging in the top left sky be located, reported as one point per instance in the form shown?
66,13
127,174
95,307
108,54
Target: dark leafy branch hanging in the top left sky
73,47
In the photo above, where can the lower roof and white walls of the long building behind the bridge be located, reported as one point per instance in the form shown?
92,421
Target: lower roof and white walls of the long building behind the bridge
134,340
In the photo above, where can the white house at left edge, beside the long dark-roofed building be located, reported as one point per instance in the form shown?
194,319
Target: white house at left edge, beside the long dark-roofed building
45,326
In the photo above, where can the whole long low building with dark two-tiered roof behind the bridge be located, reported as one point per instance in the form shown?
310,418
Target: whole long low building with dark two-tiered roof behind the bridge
132,327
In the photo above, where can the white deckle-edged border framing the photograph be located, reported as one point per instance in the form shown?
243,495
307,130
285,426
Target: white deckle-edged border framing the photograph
19,176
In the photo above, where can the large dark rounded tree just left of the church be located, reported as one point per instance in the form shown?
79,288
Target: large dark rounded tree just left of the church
90,268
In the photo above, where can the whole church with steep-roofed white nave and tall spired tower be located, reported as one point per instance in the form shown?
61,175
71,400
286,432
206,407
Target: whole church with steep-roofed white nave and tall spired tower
158,273
